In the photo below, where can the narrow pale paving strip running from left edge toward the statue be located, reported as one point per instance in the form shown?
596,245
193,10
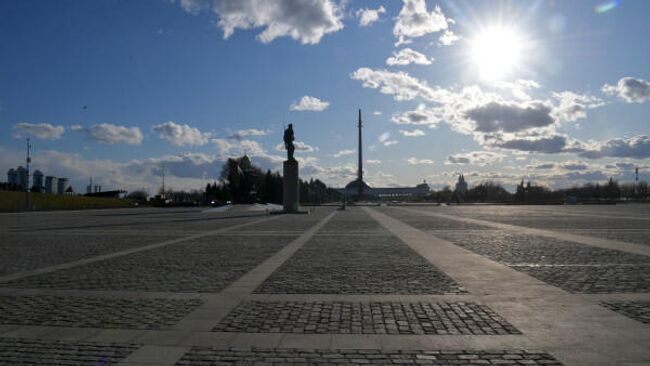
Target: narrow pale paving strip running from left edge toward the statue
48,269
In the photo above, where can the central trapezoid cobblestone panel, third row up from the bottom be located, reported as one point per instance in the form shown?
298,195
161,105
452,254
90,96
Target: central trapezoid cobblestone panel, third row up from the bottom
358,265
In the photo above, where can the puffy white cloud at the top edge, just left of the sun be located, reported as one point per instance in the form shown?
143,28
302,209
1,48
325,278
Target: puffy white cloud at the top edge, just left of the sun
414,20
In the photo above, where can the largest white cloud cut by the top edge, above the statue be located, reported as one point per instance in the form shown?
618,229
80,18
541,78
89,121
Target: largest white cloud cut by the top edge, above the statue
306,21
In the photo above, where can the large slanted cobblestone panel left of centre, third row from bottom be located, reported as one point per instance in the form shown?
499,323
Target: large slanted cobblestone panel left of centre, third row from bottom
207,264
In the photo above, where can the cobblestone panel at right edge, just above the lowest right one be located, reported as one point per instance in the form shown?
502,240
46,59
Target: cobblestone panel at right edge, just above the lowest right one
593,279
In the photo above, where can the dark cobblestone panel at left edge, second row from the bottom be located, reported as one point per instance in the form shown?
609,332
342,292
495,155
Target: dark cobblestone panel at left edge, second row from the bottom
94,312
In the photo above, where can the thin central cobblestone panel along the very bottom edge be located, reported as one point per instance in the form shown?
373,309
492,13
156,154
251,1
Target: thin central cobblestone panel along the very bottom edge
292,356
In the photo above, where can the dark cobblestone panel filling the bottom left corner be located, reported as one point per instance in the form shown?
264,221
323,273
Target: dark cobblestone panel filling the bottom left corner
14,351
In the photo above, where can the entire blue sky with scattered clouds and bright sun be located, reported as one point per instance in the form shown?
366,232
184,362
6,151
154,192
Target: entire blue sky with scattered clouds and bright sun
555,92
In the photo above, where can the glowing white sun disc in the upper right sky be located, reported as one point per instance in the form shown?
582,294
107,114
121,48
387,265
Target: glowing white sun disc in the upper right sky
496,53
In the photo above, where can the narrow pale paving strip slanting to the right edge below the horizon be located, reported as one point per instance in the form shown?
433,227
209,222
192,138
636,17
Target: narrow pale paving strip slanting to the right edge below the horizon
581,239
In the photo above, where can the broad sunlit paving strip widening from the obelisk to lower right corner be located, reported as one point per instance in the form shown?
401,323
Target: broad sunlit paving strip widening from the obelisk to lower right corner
564,324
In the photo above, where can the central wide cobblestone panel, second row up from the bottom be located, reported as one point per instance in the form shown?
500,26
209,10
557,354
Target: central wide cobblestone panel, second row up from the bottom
365,318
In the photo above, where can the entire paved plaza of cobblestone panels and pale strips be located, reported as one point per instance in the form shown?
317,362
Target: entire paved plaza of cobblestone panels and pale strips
371,285
